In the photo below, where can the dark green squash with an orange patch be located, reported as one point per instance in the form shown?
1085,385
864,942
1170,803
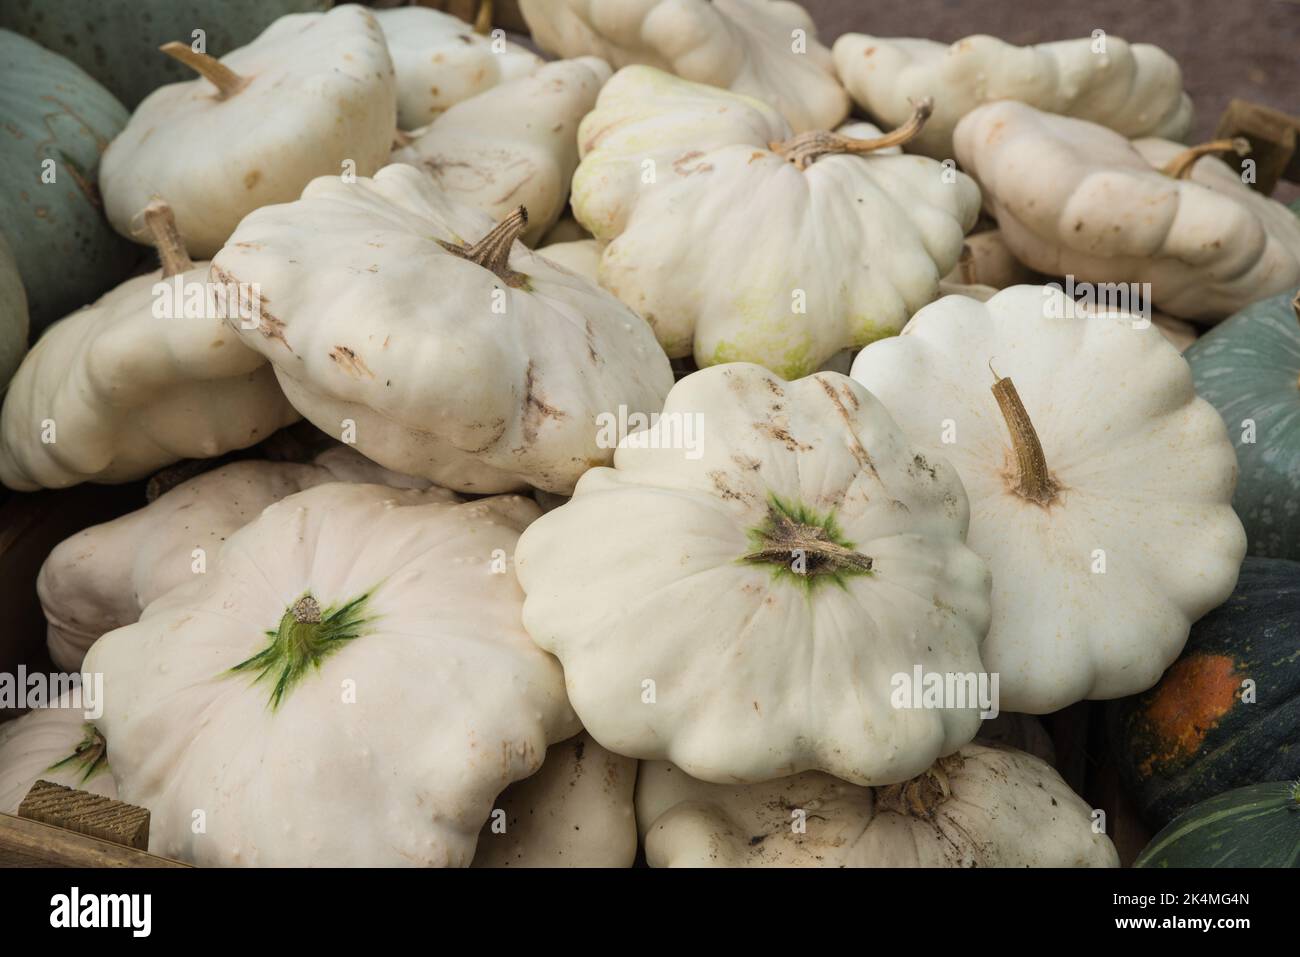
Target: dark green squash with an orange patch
1228,712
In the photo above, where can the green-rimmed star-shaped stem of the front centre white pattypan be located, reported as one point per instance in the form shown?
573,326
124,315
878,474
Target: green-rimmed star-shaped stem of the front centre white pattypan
805,547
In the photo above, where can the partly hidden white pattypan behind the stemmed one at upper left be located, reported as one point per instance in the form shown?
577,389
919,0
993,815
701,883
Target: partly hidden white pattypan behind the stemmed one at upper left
440,62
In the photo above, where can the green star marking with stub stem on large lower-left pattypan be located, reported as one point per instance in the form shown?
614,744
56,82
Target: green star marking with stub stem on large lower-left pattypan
305,639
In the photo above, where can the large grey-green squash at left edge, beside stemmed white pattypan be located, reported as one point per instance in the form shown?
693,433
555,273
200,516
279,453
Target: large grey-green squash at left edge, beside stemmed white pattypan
66,250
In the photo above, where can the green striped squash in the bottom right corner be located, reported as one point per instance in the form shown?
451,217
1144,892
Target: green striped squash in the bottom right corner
1256,826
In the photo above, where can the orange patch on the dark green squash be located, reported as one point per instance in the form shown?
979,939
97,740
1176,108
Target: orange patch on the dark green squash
1190,703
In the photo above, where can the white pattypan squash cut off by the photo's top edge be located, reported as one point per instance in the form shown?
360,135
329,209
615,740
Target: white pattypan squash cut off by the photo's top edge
753,47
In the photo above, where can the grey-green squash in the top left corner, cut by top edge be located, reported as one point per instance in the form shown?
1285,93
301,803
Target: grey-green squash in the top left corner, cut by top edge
118,41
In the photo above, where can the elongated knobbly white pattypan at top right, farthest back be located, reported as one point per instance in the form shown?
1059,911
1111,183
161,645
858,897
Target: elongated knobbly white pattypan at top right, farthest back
1134,89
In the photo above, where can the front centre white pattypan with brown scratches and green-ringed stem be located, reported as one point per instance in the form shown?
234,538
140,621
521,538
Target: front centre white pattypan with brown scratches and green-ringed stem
783,557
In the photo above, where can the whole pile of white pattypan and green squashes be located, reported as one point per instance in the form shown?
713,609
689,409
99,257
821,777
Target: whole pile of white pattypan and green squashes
677,434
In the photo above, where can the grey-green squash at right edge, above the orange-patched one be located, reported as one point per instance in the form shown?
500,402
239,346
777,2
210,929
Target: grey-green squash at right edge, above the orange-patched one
1249,369
